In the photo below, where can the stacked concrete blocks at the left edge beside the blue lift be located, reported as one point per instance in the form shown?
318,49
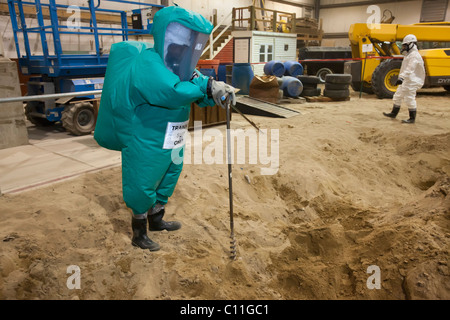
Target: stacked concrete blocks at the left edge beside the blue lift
13,131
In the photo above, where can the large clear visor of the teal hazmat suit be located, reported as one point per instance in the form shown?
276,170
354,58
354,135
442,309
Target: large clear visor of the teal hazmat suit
182,49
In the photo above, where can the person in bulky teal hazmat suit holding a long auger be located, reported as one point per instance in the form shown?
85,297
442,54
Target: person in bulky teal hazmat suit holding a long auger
144,112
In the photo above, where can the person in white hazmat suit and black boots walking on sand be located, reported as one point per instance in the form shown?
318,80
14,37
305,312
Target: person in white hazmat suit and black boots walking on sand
410,79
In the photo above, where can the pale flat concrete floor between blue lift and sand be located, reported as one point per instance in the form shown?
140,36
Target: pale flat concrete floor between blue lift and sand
52,155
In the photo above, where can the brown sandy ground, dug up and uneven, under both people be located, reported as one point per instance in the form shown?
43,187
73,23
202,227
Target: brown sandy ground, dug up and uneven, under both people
354,189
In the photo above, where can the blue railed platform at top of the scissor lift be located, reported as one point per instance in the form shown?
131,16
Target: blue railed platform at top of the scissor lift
60,63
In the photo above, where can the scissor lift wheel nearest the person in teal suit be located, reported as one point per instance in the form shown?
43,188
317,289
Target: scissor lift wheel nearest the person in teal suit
79,118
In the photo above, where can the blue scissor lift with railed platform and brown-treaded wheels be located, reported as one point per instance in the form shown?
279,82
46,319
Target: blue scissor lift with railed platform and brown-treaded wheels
55,70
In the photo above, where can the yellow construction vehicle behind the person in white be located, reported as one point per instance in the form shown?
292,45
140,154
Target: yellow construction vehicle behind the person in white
379,58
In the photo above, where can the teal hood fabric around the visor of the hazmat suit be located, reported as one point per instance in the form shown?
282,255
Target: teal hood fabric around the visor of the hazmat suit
183,16
